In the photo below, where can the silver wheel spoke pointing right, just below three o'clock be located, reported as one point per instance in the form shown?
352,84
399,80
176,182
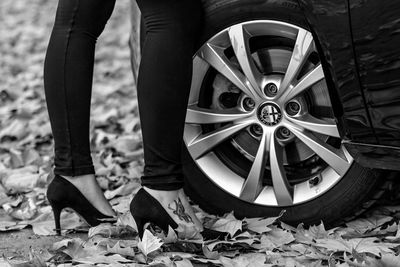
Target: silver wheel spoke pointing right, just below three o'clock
313,124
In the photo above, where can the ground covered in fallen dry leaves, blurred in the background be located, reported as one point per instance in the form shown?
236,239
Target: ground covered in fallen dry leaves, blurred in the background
26,148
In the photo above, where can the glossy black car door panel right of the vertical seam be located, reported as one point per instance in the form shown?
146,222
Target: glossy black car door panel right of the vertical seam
376,37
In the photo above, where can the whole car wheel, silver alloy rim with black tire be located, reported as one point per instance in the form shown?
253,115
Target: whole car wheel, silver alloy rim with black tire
260,134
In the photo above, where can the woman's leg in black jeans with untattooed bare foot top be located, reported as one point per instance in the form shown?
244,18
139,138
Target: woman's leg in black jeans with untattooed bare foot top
68,78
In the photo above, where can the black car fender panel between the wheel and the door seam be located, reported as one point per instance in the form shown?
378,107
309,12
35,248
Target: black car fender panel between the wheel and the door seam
329,22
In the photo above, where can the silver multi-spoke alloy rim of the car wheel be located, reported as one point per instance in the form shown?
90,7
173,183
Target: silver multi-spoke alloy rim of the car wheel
273,104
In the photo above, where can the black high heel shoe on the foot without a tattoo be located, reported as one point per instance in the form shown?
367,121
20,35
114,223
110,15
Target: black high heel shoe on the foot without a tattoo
63,194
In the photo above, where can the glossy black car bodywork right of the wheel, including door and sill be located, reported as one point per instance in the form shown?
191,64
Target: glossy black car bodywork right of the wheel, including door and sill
360,44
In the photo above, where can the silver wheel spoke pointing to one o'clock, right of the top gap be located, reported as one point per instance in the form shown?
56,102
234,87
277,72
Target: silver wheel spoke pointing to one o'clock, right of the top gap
301,51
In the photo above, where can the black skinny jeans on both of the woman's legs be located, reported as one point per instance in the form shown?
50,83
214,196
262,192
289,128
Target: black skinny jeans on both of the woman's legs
163,84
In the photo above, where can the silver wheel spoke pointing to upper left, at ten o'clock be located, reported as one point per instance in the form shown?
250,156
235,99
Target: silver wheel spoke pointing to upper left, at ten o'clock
215,56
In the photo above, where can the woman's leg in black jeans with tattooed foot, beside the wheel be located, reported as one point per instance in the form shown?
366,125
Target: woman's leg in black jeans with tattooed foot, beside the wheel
172,28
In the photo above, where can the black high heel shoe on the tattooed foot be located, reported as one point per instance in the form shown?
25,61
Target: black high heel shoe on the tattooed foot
145,208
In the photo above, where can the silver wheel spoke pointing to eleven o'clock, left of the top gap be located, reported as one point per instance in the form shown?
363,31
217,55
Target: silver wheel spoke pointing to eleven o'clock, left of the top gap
240,43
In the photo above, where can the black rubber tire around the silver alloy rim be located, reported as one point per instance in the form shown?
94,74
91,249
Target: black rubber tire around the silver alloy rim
350,195
